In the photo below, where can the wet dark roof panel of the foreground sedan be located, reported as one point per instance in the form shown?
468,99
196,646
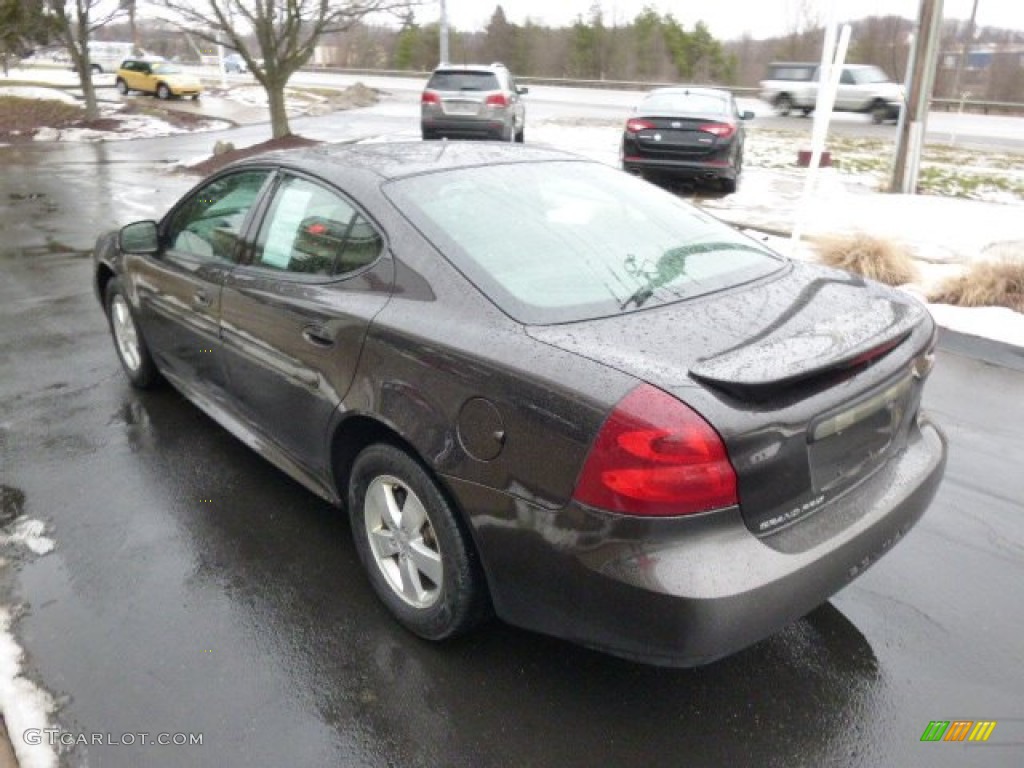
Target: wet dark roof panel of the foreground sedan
402,159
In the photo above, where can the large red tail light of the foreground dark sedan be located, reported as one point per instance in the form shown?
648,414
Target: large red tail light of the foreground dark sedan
655,456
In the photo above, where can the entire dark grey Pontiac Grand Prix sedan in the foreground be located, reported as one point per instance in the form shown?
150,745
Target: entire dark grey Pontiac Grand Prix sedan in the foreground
540,388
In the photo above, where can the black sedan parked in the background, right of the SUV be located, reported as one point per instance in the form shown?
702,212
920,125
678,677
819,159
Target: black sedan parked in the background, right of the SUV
691,135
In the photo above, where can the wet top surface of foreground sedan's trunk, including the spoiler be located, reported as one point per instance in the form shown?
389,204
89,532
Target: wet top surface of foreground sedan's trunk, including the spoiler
752,340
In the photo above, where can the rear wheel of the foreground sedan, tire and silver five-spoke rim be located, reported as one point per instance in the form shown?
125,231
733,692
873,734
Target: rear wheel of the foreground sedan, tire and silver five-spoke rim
420,561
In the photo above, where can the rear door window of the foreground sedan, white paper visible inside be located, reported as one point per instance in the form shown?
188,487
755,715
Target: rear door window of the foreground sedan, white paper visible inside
313,231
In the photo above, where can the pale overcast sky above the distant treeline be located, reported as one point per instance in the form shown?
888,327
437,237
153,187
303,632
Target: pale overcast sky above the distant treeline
727,19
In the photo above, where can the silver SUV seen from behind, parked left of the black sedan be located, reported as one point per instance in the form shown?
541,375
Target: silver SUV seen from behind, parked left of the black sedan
474,102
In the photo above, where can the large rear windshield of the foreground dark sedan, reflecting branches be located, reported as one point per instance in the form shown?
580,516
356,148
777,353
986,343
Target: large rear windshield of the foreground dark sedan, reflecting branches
560,242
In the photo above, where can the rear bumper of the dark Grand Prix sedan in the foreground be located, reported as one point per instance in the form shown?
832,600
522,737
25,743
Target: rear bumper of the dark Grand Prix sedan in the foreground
688,591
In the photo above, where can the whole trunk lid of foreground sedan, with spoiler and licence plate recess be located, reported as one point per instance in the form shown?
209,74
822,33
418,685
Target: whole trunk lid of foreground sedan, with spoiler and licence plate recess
813,379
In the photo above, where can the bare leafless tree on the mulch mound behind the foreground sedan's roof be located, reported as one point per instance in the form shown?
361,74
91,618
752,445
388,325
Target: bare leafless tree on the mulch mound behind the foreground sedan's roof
286,32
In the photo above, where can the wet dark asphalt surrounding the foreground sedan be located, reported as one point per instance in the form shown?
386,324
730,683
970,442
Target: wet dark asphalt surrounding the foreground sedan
197,590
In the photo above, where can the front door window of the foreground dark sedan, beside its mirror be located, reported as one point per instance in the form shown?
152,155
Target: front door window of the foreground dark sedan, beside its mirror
209,224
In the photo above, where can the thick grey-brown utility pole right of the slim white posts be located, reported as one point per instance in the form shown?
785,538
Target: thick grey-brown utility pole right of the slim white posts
914,116
